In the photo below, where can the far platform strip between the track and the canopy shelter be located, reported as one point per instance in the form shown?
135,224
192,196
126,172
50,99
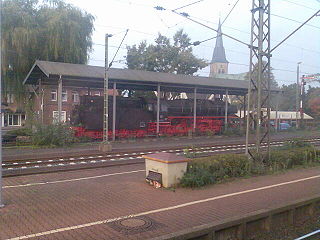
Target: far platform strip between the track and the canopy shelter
16,153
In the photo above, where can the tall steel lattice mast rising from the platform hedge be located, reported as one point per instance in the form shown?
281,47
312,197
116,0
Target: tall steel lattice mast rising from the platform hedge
259,75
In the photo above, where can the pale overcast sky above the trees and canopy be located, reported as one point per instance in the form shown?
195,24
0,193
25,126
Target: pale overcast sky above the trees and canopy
144,23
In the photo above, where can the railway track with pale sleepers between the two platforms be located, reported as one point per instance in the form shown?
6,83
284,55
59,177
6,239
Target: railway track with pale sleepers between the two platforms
44,165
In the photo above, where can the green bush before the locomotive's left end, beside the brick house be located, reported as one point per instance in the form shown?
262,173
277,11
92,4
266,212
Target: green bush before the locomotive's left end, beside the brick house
54,135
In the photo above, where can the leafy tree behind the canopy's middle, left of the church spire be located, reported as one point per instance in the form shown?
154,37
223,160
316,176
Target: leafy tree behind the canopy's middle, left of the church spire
163,56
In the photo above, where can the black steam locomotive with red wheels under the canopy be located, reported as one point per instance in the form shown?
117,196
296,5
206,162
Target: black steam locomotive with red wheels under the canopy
136,117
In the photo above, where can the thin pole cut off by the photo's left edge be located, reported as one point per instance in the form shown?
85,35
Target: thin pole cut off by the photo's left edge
1,201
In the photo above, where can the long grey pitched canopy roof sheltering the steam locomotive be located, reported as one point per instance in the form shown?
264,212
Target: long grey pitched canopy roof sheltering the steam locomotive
81,75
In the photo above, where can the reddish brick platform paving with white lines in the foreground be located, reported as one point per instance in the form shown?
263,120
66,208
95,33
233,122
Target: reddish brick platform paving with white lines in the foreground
78,205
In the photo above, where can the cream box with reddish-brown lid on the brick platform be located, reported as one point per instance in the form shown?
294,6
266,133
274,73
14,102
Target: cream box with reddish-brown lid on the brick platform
171,166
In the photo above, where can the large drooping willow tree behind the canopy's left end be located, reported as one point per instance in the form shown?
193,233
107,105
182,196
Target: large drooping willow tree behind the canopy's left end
48,30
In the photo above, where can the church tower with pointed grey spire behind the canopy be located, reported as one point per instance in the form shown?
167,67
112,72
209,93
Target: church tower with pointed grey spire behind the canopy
219,63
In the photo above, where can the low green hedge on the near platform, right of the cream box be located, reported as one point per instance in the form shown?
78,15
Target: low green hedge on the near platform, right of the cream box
216,168
